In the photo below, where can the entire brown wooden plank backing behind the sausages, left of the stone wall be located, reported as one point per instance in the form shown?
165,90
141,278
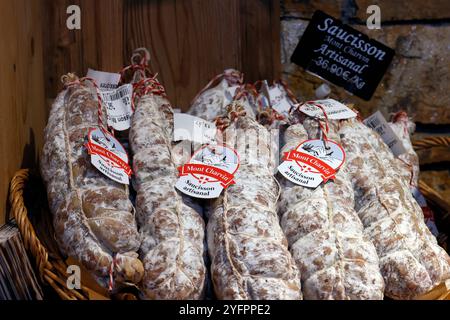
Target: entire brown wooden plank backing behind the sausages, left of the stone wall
190,41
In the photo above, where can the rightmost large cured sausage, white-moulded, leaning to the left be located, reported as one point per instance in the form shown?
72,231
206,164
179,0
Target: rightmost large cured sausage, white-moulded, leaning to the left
411,261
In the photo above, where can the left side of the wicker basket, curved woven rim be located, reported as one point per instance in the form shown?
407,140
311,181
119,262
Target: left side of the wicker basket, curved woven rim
30,210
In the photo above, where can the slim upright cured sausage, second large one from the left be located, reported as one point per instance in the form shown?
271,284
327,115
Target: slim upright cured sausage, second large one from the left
171,224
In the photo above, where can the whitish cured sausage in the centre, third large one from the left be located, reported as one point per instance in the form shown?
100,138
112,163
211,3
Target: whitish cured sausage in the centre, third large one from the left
248,250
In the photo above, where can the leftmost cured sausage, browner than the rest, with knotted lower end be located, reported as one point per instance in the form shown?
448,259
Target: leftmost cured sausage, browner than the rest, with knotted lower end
93,217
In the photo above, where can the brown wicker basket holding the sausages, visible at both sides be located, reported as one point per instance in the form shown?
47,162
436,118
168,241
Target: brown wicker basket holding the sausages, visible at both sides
52,267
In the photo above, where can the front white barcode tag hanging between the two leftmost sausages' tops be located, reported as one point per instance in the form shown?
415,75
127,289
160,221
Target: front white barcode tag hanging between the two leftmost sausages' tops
118,106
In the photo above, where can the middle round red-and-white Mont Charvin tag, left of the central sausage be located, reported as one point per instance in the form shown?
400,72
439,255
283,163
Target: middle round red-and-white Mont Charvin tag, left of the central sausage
210,170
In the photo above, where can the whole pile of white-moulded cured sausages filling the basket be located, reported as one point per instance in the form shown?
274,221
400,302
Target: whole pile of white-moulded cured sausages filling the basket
358,236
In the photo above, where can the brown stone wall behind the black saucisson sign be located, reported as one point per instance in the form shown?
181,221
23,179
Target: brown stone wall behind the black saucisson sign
418,79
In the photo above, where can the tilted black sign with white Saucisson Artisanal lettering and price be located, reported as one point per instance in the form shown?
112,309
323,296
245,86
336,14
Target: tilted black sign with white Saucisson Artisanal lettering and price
342,55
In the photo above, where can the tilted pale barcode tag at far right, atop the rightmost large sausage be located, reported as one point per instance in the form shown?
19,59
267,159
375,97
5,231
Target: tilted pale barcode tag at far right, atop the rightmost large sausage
378,123
